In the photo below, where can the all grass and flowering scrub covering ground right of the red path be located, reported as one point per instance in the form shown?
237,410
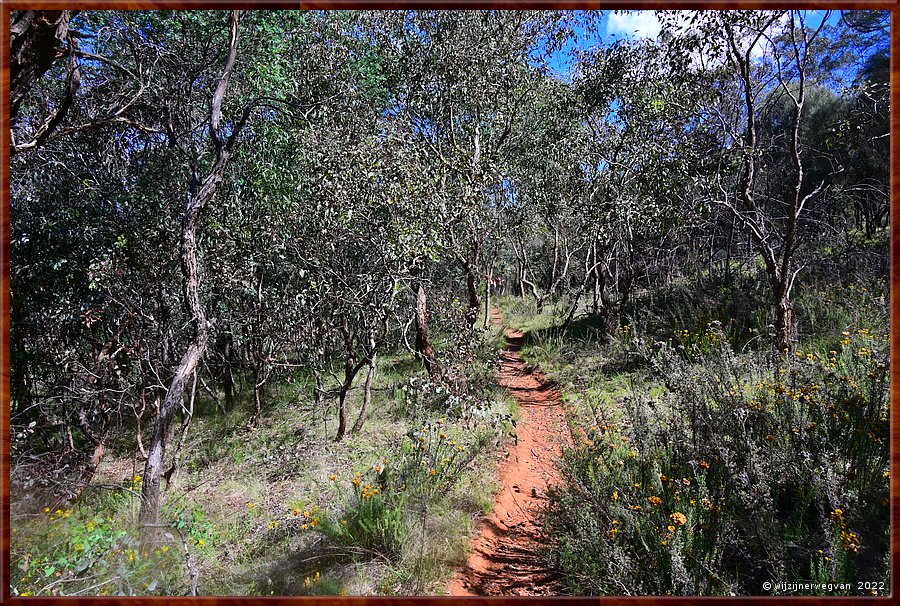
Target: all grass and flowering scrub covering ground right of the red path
703,455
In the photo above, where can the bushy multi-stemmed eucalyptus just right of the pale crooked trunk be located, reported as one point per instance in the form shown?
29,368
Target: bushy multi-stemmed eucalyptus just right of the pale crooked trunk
339,190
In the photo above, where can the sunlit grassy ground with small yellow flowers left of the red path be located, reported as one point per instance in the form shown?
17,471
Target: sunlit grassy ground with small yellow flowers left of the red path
283,509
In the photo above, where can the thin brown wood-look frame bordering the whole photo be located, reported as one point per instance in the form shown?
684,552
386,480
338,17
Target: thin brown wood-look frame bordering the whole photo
892,5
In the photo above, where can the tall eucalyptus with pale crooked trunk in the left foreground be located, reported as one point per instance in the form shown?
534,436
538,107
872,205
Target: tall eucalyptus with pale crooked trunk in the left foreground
182,128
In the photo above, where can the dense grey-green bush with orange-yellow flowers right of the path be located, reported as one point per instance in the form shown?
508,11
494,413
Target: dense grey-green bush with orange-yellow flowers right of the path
748,469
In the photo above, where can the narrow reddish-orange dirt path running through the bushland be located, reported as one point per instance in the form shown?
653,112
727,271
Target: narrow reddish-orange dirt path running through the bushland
504,558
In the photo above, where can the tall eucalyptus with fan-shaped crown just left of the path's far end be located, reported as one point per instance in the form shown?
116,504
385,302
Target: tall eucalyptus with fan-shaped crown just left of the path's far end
467,76
